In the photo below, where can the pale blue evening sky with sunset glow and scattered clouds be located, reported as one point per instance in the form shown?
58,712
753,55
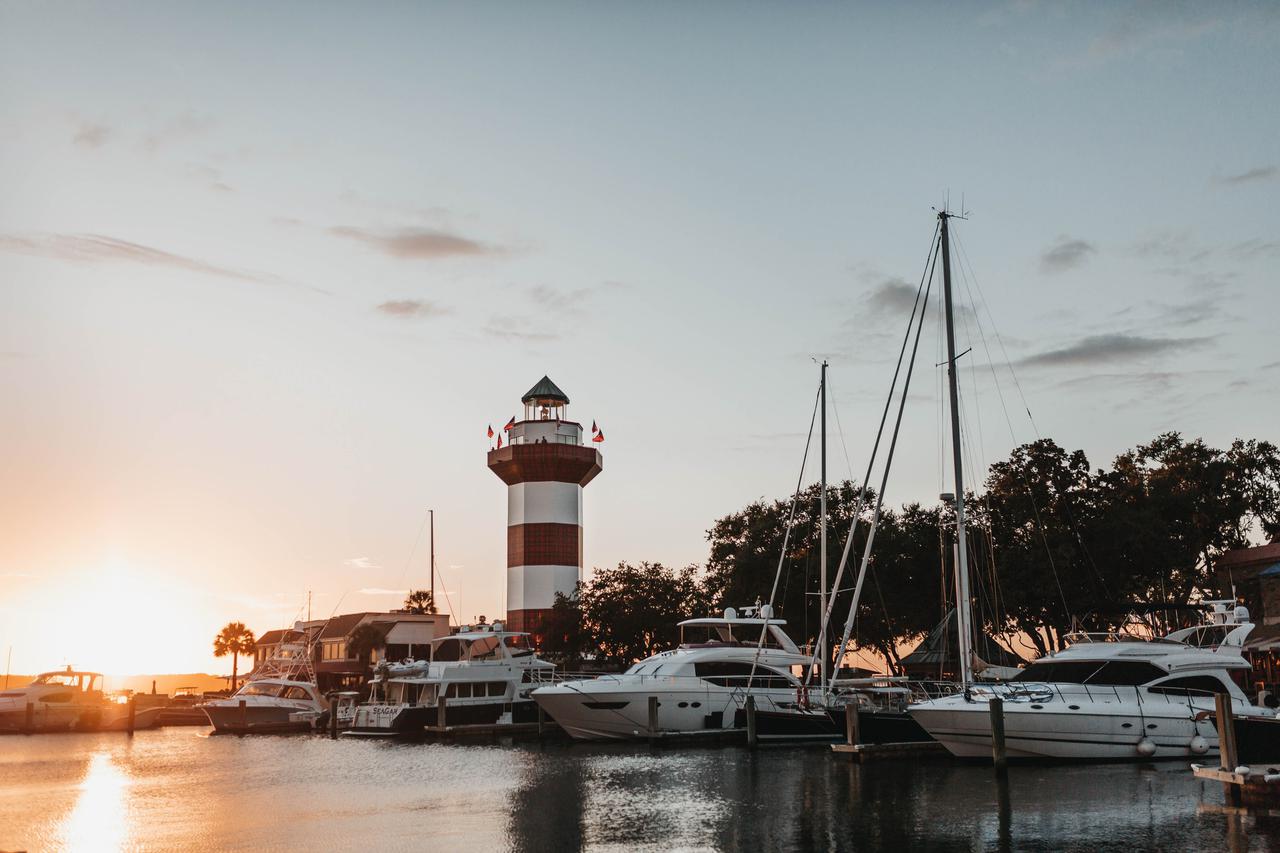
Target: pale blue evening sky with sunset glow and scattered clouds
269,271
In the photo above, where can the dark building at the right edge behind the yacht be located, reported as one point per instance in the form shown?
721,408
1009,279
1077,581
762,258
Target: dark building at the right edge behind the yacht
1254,577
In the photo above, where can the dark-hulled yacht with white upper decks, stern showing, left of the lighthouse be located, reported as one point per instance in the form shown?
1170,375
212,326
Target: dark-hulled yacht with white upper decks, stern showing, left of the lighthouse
483,674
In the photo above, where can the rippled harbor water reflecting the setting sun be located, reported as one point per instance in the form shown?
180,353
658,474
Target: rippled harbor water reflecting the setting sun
181,790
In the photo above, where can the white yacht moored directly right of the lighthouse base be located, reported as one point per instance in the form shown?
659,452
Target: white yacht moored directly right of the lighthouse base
701,687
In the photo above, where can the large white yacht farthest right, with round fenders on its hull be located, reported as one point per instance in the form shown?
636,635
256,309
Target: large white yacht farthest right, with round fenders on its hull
1109,696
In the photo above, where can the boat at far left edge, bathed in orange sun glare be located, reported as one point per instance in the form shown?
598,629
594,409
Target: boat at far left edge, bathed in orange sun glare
70,701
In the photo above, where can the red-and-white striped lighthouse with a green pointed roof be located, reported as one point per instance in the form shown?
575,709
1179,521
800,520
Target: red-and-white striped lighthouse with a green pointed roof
545,466
